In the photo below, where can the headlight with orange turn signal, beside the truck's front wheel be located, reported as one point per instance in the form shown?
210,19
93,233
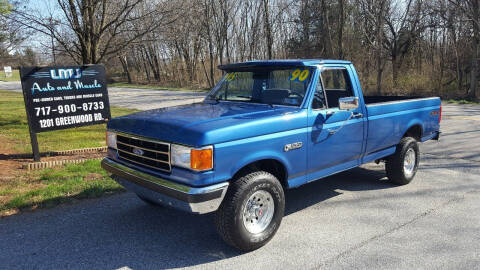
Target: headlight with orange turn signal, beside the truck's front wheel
198,159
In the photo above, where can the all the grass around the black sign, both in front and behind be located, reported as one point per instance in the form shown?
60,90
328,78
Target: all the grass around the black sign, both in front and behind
50,187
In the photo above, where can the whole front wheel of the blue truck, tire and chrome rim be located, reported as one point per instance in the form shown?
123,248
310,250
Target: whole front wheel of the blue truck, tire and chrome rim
251,211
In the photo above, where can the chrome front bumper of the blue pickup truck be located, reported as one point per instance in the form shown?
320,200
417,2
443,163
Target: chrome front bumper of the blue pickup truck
195,200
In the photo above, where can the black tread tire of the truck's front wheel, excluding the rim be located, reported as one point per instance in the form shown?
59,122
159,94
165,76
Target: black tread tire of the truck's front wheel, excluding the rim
229,217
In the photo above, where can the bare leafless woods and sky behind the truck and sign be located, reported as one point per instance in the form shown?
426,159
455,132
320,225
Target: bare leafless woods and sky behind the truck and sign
421,47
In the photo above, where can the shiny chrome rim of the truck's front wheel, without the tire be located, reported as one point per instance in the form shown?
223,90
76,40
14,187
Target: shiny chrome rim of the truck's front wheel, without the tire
258,211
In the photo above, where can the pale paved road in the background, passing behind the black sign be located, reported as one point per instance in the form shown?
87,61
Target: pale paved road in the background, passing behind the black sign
142,99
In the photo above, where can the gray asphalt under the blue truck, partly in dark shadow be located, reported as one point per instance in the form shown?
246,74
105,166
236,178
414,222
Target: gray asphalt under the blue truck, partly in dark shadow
352,220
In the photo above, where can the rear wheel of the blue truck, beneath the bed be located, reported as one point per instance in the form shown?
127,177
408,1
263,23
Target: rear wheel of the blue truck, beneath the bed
402,166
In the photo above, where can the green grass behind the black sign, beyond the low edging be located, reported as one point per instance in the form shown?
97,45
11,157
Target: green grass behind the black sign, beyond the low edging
14,126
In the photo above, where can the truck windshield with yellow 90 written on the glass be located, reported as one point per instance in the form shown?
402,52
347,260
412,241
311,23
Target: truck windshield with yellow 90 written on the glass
267,86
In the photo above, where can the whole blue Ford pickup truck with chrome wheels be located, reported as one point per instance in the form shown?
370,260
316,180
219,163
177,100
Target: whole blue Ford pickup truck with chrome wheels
267,126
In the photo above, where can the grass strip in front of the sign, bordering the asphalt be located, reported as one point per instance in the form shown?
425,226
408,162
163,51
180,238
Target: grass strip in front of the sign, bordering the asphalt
50,187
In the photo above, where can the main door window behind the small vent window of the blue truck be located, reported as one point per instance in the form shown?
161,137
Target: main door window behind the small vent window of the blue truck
337,85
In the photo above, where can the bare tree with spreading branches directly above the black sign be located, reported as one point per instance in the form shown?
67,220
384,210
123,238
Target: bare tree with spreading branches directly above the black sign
89,30
